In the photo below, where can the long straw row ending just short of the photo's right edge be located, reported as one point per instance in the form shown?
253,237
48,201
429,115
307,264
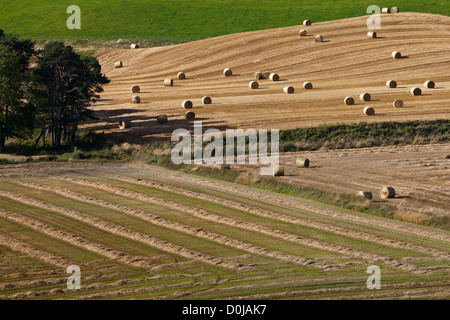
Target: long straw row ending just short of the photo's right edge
246,226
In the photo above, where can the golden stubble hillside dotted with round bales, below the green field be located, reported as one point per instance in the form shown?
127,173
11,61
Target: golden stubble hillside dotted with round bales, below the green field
347,63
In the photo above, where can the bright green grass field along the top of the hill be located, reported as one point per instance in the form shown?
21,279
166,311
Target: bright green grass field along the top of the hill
182,20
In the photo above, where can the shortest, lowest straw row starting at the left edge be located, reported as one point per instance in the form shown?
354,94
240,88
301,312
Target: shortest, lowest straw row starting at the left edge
20,246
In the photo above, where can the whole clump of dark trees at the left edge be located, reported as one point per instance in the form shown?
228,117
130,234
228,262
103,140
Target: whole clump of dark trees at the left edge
52,94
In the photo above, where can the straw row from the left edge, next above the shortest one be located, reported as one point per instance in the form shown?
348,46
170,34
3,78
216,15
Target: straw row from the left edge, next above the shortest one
77,240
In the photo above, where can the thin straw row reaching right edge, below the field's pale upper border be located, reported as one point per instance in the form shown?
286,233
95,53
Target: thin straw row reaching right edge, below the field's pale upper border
285,218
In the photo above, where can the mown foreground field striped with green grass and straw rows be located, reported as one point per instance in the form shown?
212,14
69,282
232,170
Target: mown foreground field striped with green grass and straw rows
224,243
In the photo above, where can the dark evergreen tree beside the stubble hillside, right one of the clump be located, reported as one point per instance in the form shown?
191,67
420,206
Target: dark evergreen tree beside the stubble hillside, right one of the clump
64,85
